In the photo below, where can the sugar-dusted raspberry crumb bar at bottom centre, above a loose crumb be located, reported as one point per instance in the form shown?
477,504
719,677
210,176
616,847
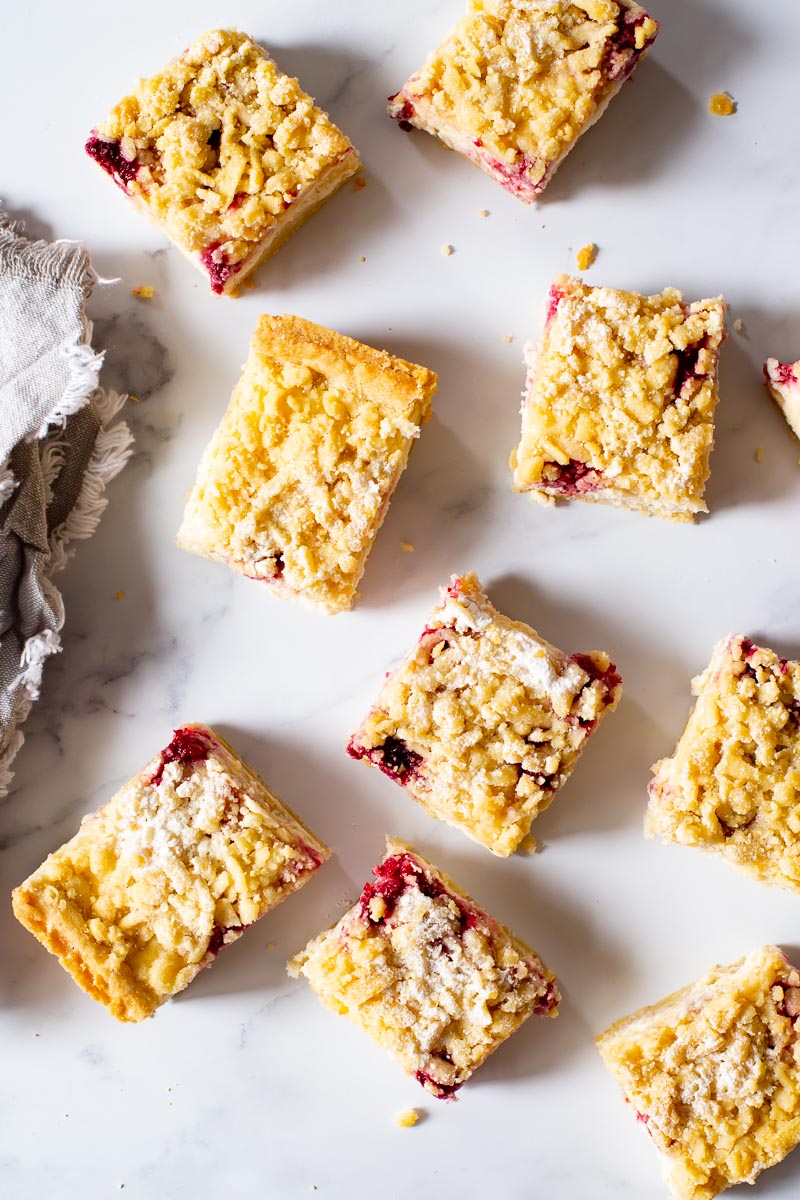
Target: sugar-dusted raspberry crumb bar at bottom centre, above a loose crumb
426,973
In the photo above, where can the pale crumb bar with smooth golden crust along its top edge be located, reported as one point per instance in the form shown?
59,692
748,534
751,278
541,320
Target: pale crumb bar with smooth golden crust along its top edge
298,479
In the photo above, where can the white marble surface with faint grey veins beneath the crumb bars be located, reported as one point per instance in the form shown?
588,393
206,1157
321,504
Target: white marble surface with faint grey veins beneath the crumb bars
246,1084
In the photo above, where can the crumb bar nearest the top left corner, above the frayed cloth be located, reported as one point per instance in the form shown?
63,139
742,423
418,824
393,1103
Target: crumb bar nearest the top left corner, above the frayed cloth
225,154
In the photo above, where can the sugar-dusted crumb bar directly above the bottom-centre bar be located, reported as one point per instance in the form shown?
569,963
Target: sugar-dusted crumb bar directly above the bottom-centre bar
484,721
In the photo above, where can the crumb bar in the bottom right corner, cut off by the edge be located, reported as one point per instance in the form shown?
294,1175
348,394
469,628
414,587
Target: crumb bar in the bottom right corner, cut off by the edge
714,1073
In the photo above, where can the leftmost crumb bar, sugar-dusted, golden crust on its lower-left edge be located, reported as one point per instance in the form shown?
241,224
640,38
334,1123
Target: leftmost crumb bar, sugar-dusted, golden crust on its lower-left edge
178,865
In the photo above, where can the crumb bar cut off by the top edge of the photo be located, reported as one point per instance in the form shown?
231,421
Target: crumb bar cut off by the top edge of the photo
518,82
